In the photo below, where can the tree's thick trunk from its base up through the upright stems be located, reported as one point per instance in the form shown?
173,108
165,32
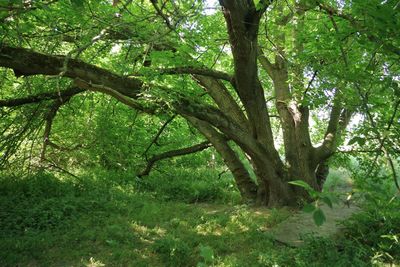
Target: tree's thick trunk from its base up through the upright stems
242,20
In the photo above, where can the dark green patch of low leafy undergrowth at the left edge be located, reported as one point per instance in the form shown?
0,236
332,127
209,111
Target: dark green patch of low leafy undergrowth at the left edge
42,201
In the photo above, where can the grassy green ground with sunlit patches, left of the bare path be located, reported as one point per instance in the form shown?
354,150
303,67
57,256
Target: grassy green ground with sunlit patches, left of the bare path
49,221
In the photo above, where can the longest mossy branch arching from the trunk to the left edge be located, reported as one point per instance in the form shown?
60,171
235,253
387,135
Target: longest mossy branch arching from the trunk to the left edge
126,90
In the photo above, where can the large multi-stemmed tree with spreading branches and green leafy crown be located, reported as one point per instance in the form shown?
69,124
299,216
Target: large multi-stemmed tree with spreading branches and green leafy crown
285,60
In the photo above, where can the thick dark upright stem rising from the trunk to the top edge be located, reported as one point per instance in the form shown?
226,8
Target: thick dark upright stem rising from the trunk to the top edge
242,19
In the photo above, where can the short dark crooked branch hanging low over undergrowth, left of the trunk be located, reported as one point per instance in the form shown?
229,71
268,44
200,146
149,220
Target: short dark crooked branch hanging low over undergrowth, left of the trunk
173,153
